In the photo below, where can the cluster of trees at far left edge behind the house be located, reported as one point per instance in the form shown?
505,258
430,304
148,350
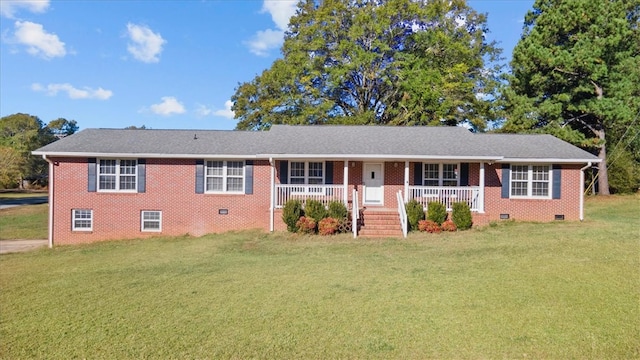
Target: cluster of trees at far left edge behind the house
19,135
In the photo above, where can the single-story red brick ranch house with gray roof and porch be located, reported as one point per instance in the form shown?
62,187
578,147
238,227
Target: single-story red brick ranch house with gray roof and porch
117,184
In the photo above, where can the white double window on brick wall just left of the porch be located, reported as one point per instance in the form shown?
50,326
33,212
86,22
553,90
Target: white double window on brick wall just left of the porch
225,176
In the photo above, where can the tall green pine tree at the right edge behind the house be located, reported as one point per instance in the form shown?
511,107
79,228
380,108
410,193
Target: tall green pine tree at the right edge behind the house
576,75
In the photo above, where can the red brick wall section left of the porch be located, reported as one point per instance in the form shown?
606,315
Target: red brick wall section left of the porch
170,188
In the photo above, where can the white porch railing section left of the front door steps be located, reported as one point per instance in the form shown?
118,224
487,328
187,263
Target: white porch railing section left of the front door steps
323,193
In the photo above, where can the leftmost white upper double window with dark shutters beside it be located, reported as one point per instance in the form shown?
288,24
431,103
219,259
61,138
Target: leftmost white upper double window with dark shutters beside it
117,175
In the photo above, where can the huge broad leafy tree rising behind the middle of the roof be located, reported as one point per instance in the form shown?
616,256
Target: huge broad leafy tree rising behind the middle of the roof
397,62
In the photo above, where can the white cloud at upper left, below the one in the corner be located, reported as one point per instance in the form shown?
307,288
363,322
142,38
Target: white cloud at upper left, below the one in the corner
37,40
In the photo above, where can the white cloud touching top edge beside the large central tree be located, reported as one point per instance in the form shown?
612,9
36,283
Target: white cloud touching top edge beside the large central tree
265,40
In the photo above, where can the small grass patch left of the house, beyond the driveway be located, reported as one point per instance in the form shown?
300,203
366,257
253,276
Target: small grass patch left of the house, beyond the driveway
24,222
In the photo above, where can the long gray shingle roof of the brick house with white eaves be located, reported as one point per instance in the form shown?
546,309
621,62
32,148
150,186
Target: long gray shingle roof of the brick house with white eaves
331,141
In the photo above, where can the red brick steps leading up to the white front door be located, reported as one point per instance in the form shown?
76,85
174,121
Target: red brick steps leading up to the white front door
379,222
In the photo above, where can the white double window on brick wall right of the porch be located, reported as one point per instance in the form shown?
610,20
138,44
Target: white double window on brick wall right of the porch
530,181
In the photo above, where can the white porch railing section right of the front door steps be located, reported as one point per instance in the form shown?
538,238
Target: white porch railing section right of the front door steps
446,195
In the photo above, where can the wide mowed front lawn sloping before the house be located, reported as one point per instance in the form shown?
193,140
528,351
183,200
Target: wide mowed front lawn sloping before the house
511,290
